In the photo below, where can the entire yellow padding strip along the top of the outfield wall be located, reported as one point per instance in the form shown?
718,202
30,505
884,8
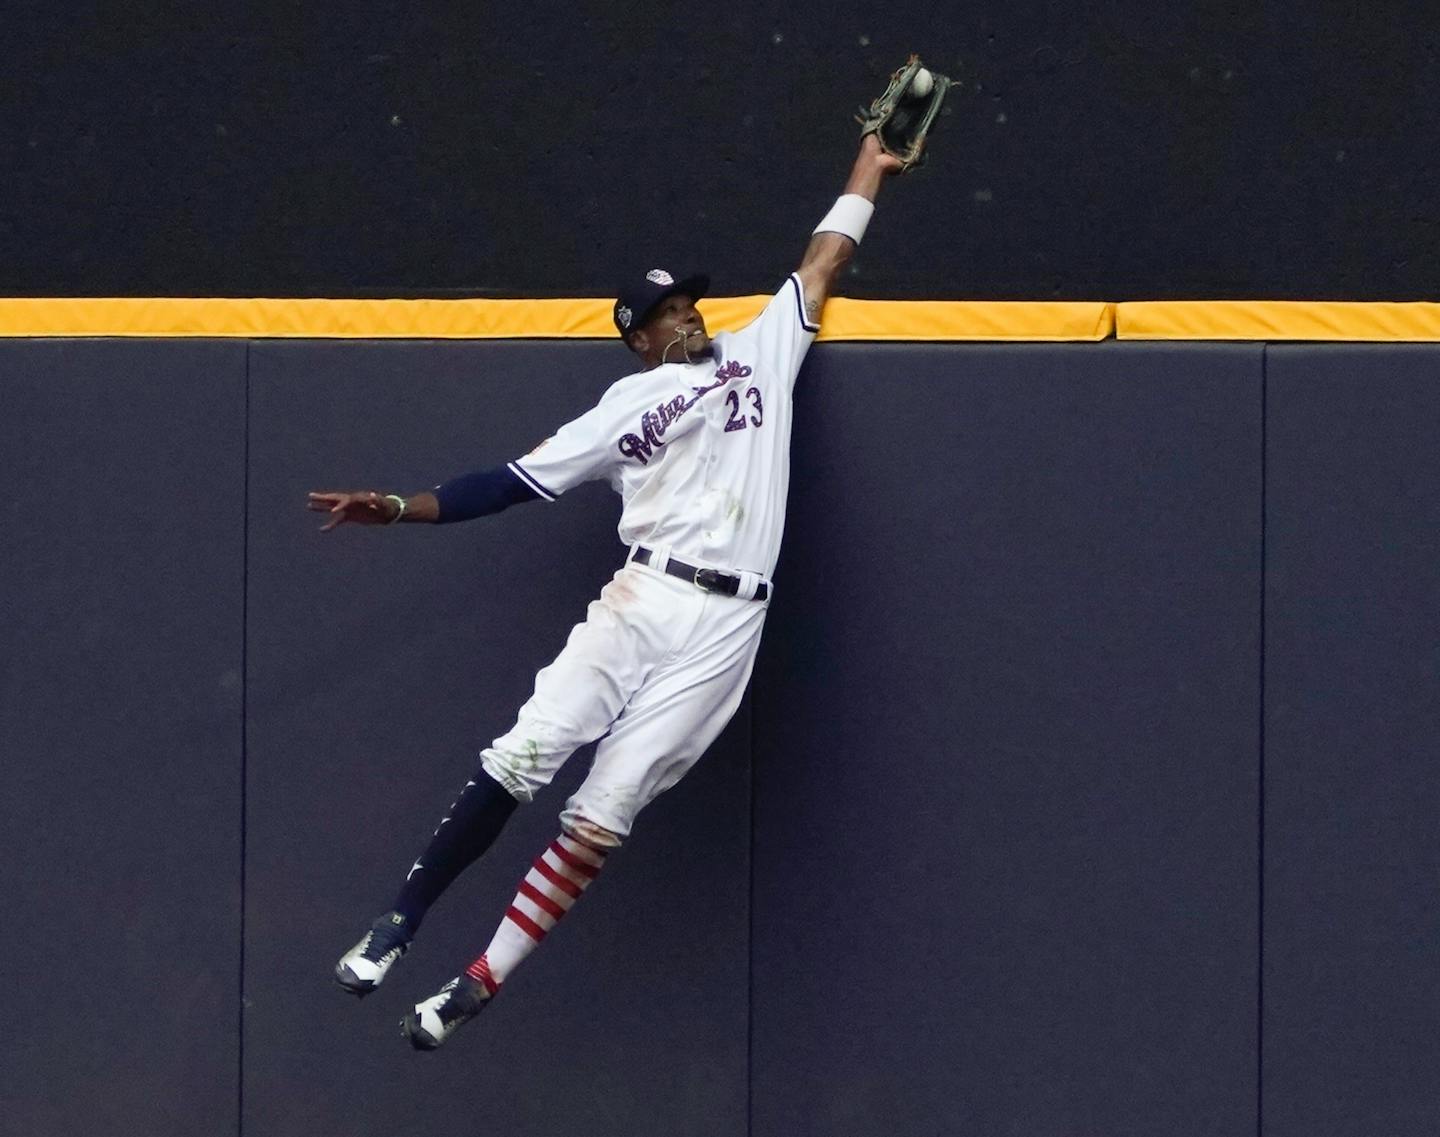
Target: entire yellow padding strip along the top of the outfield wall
862,320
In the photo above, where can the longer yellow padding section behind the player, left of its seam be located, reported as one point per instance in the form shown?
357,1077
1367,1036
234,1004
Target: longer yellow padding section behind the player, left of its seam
528,319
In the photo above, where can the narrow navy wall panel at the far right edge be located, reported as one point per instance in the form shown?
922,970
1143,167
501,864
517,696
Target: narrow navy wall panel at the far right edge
1353,781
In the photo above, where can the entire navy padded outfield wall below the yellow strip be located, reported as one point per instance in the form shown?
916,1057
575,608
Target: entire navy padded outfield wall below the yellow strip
1086,784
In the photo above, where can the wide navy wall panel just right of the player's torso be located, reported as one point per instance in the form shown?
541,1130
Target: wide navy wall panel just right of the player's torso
1007,748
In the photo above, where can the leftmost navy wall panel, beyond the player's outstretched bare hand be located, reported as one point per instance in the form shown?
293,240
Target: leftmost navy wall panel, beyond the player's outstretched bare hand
120,728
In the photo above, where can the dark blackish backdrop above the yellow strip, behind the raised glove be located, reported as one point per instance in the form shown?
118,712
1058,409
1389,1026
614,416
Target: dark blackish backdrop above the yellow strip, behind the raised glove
1099,152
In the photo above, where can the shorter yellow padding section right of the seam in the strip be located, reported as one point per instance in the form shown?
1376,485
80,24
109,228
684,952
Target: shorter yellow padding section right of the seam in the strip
1278,320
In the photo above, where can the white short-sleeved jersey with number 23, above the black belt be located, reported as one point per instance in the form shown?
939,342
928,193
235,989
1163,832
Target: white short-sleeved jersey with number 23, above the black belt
698,451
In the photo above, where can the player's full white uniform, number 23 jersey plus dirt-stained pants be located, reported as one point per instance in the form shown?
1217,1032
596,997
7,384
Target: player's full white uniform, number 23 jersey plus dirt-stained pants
701,457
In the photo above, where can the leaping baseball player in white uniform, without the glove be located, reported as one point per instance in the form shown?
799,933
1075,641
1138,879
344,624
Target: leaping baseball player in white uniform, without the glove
698,447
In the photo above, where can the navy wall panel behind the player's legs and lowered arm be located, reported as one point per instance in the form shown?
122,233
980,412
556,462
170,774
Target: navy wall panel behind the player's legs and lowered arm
381,663
